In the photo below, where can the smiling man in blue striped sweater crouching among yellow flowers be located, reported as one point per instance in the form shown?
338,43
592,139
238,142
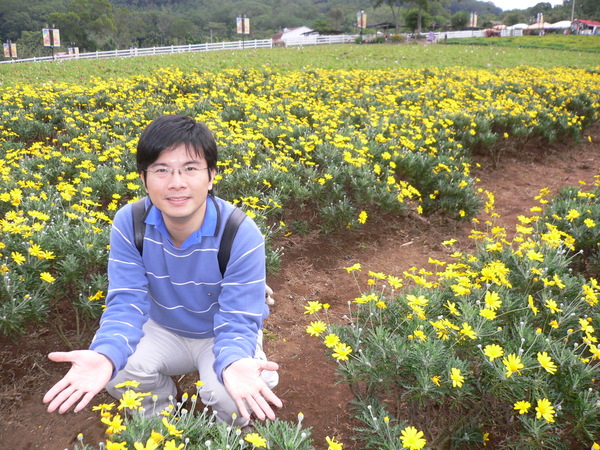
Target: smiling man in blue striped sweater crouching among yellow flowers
169,311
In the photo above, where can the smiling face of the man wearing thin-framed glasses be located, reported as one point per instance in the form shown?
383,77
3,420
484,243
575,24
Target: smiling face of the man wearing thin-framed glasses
178,183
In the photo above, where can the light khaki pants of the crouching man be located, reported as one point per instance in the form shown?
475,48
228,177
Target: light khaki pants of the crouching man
162,354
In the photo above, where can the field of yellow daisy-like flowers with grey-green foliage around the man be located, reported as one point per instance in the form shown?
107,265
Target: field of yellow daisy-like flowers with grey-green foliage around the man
511,325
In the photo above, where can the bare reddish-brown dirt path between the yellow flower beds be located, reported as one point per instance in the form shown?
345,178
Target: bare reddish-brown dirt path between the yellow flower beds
312,269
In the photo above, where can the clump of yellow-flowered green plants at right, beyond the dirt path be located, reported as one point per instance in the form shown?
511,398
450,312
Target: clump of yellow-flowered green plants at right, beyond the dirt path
501,344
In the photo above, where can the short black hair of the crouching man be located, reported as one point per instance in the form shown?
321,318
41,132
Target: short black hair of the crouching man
167,132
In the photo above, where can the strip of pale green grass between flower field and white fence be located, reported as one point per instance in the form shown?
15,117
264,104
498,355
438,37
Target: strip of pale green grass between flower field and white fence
478,55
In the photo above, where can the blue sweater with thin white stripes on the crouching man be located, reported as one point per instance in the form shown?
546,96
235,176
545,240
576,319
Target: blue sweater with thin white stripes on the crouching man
182,289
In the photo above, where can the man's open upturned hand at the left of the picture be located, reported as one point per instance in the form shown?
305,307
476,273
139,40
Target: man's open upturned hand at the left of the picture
90,372
